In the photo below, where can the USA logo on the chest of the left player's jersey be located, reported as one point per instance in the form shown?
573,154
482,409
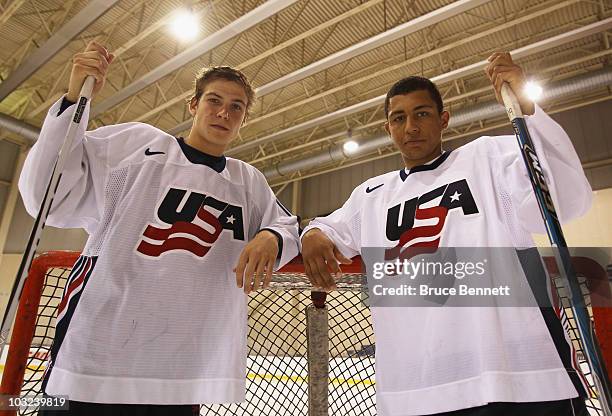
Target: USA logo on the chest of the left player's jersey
190,221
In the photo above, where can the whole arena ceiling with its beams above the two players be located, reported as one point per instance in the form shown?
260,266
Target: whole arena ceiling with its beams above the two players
320,66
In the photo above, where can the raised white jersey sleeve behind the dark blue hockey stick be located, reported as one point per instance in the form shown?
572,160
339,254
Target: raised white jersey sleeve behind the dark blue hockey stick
565,178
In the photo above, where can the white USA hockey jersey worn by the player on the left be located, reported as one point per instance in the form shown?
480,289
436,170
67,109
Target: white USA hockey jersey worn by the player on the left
151,313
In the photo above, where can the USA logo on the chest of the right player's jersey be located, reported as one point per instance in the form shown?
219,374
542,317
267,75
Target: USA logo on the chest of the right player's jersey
425,236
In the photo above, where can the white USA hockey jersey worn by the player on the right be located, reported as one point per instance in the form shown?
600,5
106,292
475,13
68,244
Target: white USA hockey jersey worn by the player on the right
431,360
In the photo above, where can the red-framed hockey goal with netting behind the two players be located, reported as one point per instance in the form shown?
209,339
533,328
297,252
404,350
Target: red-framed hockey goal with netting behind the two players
282,364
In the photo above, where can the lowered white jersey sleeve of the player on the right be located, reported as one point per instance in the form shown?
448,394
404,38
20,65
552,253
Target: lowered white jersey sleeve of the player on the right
343,226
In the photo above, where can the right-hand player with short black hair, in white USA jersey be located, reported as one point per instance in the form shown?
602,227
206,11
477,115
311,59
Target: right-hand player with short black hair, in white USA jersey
462,361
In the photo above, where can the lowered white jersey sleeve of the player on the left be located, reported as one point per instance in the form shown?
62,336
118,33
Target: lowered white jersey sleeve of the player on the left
278,219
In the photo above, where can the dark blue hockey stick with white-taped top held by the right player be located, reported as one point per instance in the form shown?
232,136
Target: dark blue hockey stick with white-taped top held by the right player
562,254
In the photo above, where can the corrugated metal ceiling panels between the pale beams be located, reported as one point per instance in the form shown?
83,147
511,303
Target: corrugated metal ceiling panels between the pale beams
412,54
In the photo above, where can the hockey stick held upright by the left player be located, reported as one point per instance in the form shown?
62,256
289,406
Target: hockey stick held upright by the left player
39,223
